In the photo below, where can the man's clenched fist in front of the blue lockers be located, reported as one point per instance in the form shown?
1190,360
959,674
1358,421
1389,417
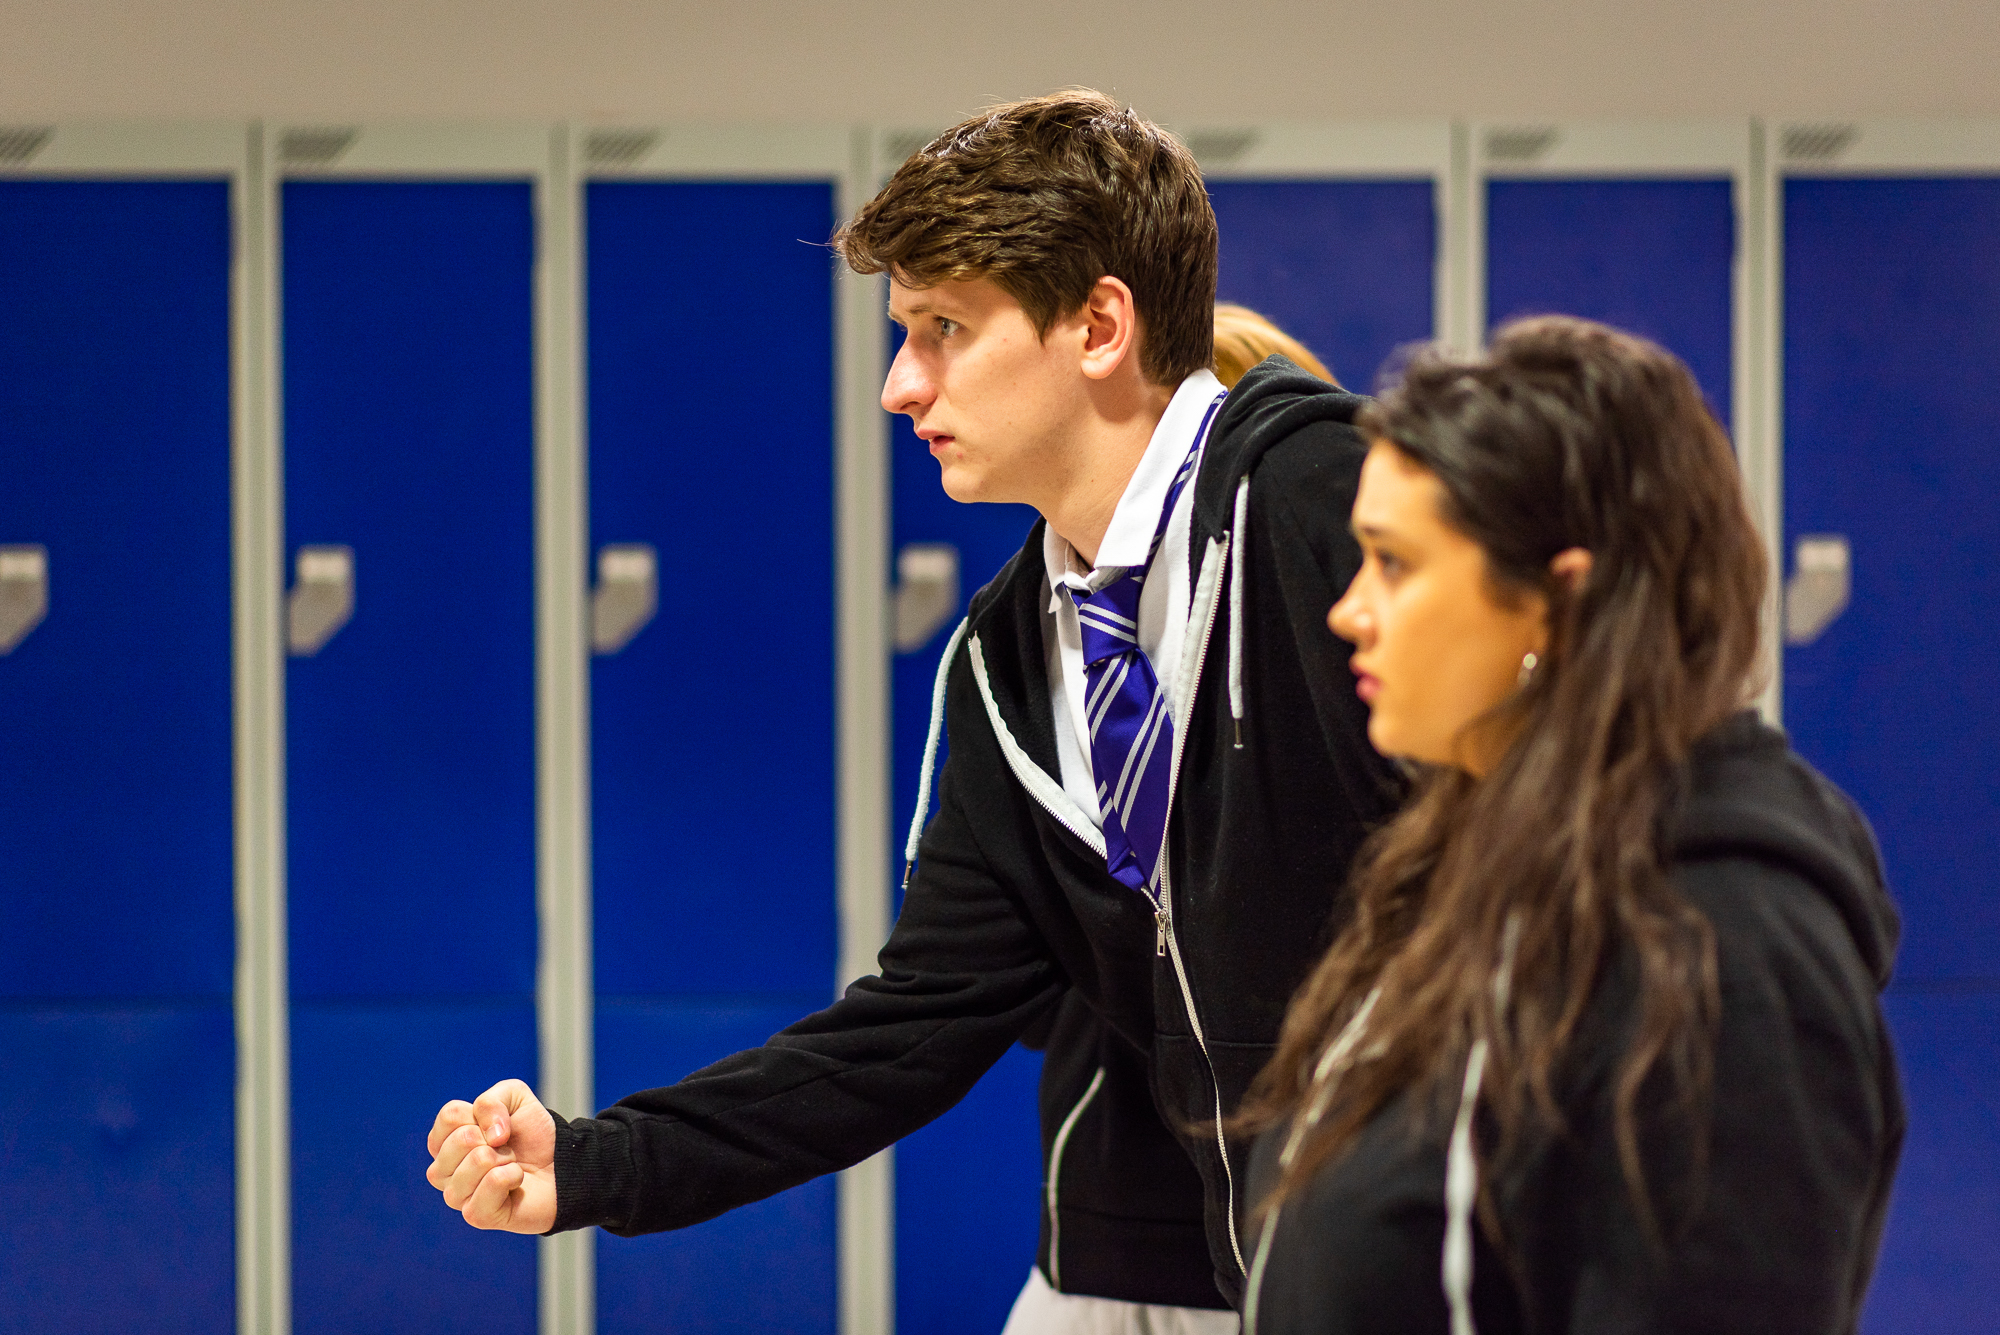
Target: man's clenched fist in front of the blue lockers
495,1160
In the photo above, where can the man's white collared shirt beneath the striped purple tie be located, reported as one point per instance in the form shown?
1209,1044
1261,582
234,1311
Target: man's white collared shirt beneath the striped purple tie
1163,603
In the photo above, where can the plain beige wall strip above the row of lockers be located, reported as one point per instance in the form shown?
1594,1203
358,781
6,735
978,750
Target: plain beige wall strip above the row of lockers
929,63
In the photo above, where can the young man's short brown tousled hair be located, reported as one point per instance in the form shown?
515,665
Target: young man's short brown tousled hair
1045,199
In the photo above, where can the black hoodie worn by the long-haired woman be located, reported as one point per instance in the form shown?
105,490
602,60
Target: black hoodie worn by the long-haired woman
1777,1234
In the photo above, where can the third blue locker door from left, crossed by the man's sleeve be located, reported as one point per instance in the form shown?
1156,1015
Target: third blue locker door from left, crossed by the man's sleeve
711,329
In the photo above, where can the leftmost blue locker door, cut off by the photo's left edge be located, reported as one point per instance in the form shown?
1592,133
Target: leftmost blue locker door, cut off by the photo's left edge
117,960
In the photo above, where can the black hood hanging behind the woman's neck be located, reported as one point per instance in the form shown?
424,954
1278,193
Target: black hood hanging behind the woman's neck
1751,796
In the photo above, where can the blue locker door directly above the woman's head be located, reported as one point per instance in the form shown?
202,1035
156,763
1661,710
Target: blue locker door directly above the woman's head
1651,257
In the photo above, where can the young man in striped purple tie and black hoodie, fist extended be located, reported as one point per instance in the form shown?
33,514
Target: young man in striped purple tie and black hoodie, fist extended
1159,768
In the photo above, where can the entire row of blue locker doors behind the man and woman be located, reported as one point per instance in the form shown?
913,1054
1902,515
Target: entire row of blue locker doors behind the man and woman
409,321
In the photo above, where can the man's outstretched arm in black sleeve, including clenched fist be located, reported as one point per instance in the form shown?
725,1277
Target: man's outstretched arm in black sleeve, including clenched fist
963,976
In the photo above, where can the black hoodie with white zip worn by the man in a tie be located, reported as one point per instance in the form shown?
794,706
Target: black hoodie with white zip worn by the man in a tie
1011,902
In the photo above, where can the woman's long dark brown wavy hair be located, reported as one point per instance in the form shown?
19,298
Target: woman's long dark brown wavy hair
1563,435
